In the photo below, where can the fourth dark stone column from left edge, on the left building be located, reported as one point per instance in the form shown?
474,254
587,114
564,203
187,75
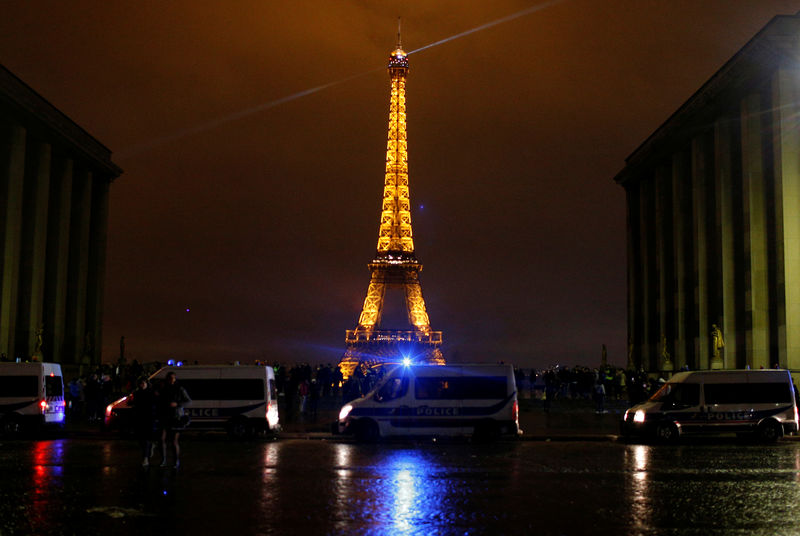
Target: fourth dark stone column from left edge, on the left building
76,335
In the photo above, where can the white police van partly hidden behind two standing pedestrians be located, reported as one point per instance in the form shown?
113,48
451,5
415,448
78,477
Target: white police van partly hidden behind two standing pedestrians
241,400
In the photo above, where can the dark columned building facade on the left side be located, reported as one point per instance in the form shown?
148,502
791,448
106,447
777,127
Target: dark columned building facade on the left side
54,184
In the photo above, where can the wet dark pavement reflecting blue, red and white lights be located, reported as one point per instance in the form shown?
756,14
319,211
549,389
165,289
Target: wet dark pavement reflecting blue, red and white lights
85,486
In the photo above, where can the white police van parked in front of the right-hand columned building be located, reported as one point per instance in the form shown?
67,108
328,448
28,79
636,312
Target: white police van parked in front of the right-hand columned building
757,402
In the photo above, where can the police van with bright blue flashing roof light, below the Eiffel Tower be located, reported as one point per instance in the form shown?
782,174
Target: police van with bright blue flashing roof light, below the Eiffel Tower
434,400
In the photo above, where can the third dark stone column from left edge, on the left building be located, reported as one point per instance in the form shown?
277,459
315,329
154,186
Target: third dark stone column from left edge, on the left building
56,282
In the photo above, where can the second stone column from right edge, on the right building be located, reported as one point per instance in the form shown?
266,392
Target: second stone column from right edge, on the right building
754,204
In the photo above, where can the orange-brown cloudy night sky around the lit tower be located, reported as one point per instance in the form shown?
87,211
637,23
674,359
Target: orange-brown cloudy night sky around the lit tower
249,206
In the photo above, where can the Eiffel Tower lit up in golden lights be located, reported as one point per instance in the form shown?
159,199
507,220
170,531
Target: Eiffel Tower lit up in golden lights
395,266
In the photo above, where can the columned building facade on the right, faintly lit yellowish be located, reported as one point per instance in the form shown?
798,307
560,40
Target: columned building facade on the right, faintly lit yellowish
713,218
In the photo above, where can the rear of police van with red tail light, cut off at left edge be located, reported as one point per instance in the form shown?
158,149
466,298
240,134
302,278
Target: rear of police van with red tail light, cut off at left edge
31,397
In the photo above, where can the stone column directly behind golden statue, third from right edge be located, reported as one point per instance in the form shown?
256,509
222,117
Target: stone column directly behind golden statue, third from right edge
727,229
